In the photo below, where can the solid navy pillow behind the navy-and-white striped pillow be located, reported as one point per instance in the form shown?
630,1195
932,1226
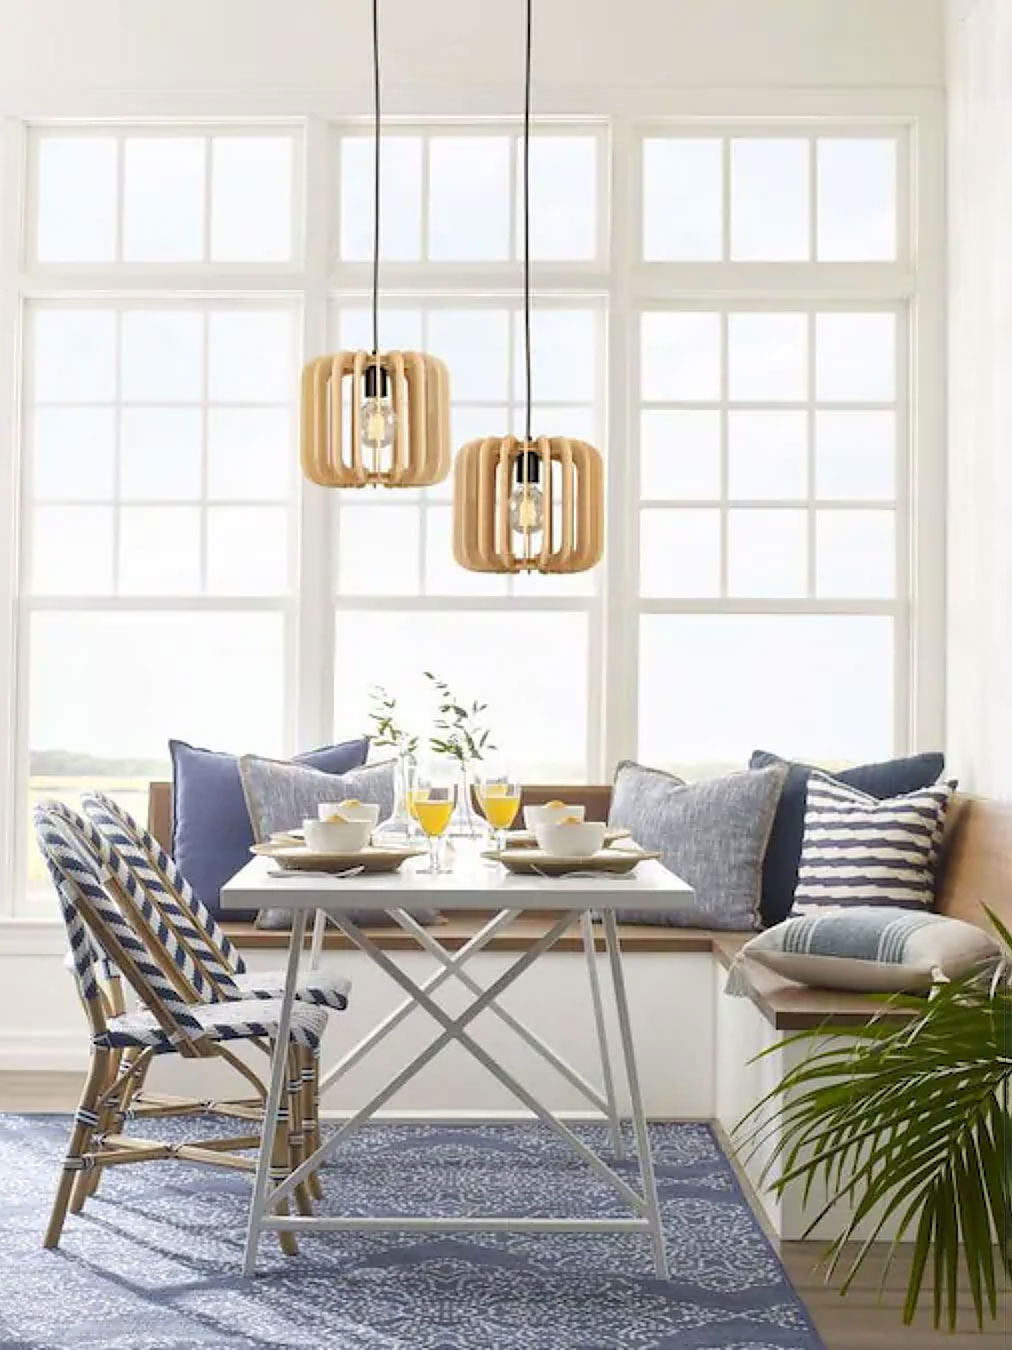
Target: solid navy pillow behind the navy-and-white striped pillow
890,778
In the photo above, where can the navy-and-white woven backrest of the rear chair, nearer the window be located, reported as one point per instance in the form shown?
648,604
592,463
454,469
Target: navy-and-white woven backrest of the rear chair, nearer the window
208,971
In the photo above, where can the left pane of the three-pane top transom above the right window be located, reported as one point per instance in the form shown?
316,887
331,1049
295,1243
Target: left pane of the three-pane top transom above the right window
683,200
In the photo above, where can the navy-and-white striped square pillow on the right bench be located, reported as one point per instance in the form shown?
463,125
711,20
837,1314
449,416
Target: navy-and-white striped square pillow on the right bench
863,851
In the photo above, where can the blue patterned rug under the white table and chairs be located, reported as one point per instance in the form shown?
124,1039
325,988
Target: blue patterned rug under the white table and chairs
153,1264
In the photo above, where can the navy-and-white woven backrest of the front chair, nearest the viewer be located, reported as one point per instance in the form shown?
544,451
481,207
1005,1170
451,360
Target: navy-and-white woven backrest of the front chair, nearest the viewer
90,874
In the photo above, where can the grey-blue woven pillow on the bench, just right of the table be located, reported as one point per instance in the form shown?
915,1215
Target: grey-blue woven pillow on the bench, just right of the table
713,835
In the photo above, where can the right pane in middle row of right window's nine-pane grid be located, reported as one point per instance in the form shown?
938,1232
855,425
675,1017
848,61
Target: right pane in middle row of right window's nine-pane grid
856,456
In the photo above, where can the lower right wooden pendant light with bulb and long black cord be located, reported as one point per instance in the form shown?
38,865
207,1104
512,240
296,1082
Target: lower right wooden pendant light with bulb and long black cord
535,504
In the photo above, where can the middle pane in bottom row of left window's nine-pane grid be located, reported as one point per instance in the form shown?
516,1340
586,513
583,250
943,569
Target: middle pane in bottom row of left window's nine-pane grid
160,551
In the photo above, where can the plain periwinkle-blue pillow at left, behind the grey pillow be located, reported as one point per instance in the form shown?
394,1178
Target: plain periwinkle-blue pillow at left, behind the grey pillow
211,827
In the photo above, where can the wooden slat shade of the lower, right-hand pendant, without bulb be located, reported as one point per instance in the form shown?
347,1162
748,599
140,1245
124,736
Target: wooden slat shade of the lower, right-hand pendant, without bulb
573,483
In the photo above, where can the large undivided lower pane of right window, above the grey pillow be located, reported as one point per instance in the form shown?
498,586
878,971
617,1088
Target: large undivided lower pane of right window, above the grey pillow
713,688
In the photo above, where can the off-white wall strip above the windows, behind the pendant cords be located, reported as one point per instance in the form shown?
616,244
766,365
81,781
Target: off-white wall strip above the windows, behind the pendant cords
304,49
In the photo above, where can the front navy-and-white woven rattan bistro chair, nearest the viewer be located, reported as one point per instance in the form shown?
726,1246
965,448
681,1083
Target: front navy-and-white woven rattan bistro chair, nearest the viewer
118,936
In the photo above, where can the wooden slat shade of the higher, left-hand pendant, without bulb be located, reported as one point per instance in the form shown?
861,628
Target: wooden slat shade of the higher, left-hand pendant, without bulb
334,389
